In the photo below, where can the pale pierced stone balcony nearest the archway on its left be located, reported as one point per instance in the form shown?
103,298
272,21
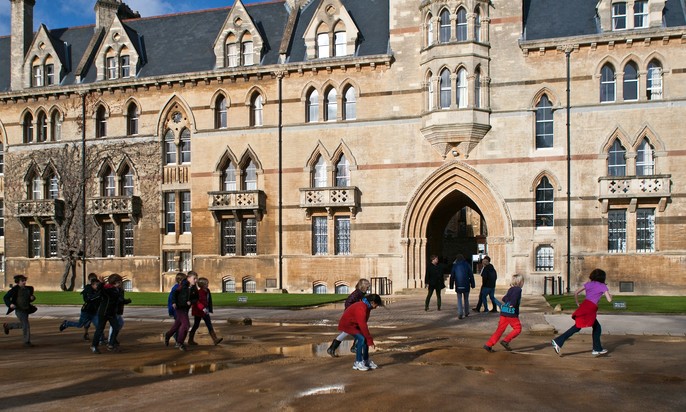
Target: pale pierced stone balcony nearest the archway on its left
330,199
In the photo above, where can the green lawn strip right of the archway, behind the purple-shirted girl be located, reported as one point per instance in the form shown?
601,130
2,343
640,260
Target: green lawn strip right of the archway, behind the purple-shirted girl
634,304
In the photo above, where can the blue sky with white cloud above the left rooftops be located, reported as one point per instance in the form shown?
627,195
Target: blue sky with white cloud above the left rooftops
68,13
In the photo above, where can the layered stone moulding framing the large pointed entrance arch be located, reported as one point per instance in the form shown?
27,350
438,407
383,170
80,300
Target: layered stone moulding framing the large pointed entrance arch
451,177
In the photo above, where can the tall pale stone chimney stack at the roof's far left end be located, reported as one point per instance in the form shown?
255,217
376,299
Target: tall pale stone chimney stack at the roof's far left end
22,36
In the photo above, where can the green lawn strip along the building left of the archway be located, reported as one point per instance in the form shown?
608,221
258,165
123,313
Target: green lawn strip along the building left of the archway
270,300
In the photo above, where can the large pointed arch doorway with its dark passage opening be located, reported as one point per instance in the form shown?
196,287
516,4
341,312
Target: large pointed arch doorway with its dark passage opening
435,209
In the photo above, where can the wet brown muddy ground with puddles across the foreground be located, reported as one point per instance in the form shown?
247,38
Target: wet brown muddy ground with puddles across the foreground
425,364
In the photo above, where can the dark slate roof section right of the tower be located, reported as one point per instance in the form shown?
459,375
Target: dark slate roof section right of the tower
548,19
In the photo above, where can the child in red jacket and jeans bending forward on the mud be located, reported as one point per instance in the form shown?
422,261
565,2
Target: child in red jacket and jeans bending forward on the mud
354,322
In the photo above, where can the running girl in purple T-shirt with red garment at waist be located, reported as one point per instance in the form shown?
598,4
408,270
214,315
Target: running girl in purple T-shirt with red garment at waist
586,314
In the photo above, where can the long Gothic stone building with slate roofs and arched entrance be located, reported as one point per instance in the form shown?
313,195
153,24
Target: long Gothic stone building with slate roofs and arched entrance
303,144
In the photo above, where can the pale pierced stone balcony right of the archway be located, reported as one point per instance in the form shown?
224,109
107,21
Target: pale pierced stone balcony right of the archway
630,189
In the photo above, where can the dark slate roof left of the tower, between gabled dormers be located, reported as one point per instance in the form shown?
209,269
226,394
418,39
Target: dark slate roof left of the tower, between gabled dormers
183,42
